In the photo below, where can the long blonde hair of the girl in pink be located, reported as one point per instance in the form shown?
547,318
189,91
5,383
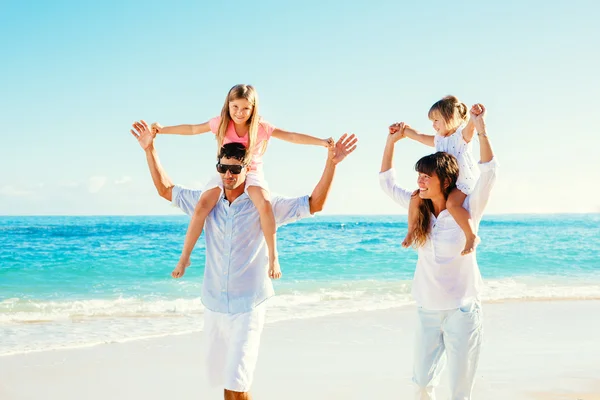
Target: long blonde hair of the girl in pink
237,92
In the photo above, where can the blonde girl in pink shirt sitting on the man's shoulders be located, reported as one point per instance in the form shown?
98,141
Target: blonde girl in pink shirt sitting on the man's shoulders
239,122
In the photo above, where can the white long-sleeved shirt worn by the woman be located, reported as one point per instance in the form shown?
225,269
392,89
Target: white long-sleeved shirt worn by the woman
444,279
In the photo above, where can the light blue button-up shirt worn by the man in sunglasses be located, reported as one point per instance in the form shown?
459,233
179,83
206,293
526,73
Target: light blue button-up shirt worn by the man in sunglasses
237,262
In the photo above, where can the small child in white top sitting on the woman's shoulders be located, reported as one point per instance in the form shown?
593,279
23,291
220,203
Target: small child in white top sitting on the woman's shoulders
454,134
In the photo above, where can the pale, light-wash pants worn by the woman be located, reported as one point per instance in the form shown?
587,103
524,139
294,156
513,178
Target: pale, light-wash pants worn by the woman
452,335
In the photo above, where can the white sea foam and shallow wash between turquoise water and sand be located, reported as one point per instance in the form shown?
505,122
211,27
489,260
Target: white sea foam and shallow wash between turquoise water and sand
30,325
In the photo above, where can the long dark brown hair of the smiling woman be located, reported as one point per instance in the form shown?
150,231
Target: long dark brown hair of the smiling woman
445,167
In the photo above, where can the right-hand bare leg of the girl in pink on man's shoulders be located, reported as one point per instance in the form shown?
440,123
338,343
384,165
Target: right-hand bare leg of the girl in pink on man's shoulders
260,198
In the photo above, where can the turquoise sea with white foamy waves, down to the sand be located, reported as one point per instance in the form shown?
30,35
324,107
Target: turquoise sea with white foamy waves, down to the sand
77,281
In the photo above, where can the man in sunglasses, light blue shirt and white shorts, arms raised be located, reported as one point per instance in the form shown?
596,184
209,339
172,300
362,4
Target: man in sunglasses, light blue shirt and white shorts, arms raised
236,285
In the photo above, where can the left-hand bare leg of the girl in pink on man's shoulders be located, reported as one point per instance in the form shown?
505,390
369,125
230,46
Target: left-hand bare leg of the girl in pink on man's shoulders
207,202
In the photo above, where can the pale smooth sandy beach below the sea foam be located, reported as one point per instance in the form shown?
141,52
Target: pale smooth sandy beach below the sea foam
532,350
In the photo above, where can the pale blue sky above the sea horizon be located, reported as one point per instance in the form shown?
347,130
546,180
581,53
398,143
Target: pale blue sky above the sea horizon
74,76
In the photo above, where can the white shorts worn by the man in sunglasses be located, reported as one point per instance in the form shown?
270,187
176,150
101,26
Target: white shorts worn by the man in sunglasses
232,343
